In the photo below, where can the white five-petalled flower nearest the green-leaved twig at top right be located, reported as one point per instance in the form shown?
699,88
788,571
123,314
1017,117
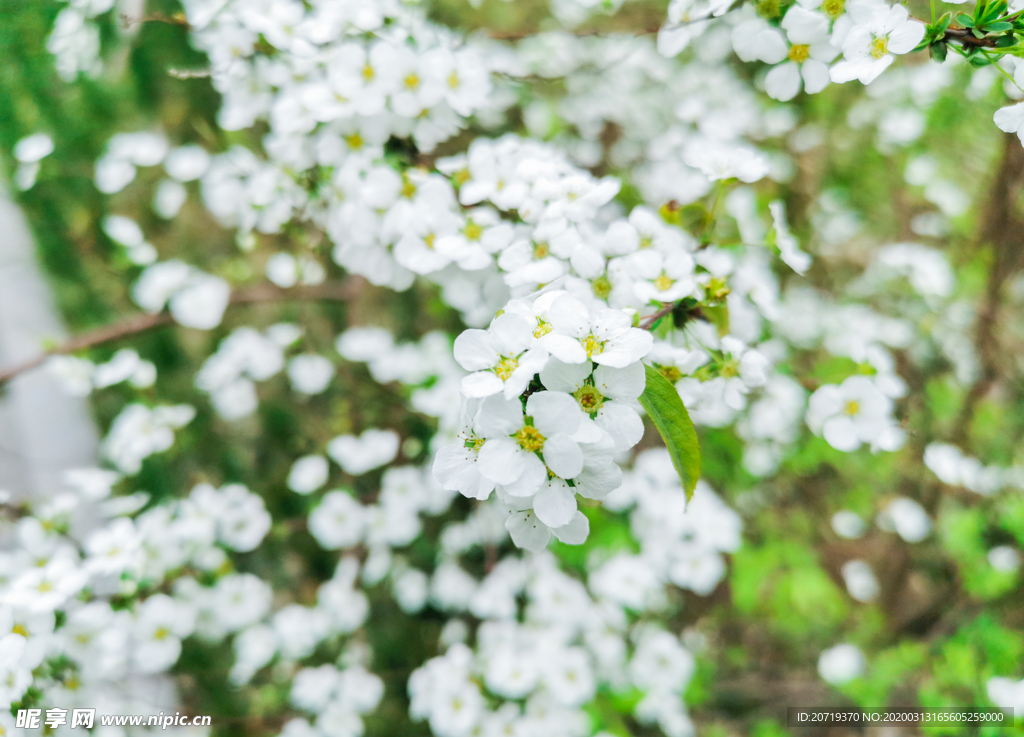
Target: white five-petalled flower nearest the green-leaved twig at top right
869,49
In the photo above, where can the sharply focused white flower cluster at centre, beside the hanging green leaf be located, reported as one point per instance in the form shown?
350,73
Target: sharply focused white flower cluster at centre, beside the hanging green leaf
548,404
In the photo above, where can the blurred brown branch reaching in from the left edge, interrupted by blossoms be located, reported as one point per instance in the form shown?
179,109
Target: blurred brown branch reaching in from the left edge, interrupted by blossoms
138,325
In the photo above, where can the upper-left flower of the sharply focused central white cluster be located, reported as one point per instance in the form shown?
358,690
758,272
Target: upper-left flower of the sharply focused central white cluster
501,358
